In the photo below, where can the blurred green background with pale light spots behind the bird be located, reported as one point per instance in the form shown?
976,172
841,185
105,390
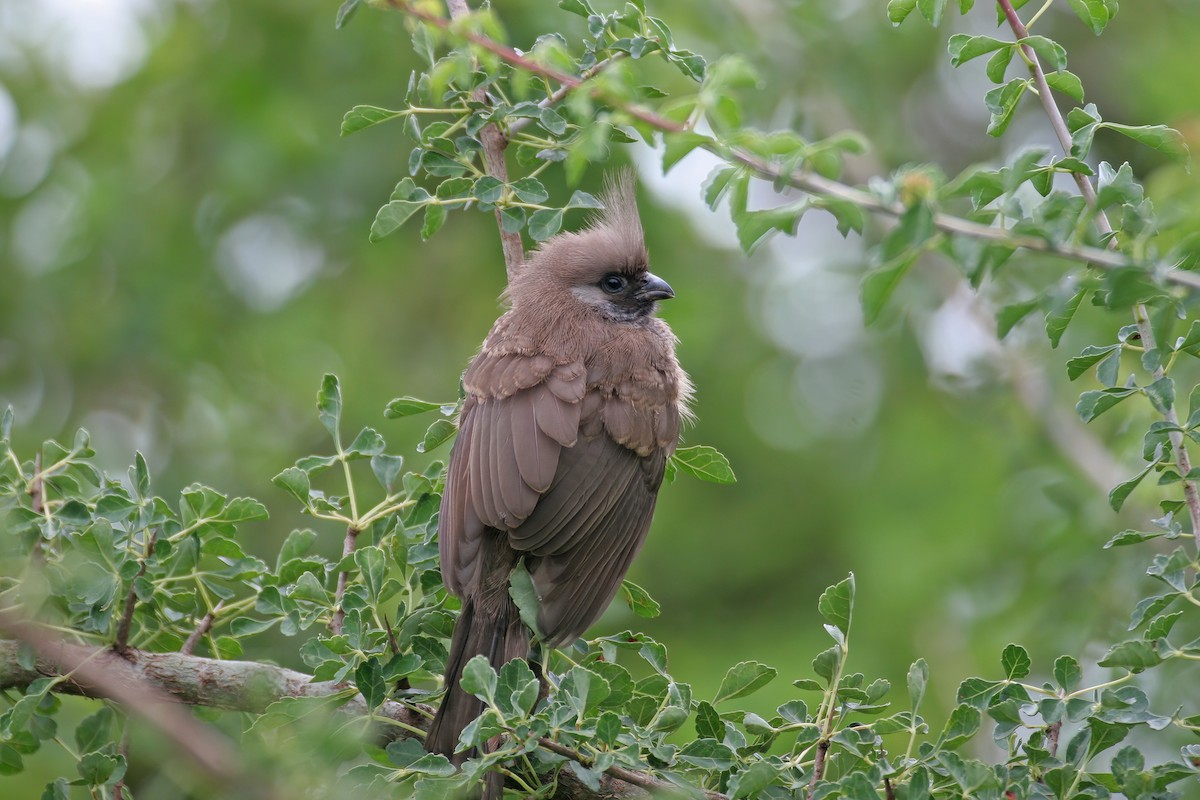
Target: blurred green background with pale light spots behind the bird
184,252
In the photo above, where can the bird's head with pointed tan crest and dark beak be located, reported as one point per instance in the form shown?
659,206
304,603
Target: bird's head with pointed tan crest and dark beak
603,269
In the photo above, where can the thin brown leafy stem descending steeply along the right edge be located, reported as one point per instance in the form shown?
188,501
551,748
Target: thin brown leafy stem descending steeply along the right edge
1142,316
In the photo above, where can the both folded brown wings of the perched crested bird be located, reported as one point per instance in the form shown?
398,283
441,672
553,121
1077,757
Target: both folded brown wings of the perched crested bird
571,474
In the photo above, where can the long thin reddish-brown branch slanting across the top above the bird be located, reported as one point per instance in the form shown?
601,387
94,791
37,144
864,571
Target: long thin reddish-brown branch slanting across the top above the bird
802,181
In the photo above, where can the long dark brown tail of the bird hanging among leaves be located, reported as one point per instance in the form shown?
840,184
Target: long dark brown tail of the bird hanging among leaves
501,637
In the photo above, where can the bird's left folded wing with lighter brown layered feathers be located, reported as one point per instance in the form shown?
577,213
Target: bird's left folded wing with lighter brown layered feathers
520,413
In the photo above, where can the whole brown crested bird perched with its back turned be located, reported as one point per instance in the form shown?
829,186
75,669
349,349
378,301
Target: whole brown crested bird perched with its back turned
573,407
